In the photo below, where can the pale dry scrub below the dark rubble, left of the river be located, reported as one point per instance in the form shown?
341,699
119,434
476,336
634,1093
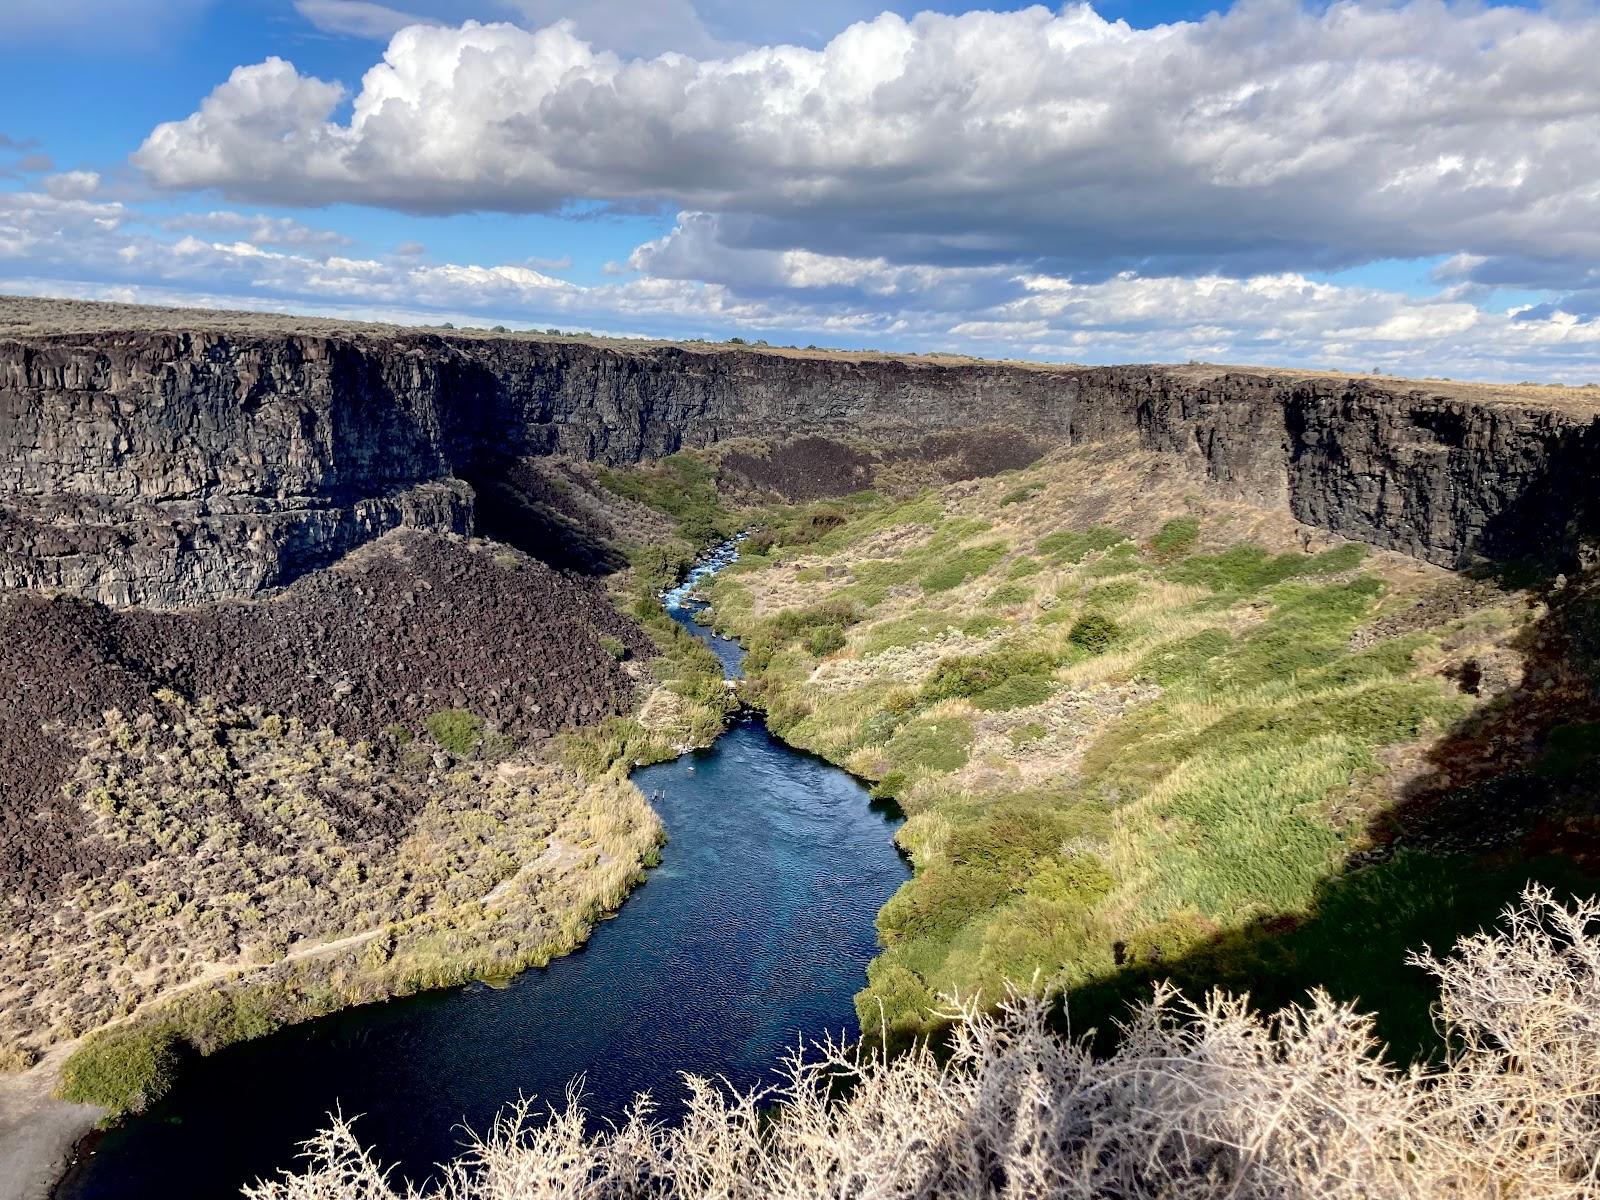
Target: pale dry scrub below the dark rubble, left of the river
250,855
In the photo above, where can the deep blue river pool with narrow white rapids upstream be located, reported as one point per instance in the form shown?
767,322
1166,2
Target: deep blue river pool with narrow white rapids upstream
751,935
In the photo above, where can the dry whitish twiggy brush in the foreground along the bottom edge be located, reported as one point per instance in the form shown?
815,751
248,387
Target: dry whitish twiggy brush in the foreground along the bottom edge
1199,1102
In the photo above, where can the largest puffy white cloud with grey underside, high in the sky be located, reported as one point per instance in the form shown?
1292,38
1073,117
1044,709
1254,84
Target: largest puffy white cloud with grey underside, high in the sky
1262,140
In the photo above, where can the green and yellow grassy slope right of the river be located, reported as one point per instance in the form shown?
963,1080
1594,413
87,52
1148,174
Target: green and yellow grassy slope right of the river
1124,750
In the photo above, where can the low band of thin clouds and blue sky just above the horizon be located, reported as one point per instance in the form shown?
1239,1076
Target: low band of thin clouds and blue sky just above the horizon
244,260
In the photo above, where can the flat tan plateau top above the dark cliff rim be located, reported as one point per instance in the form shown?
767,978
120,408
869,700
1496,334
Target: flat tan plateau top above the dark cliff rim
38,318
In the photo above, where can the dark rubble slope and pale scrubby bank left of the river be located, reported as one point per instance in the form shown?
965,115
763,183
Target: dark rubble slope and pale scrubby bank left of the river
257,868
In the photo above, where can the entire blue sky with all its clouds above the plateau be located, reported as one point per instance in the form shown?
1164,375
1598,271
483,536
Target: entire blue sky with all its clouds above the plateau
1401,188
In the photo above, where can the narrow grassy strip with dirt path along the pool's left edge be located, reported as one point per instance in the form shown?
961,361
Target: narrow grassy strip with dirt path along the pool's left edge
577,881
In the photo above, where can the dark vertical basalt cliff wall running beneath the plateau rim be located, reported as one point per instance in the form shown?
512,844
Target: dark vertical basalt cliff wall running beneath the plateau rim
172,470
